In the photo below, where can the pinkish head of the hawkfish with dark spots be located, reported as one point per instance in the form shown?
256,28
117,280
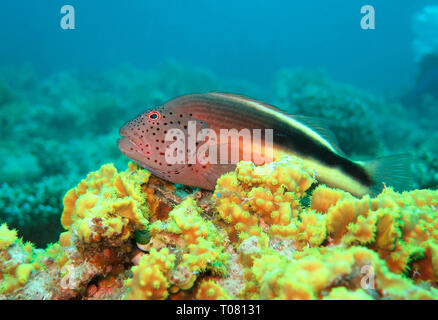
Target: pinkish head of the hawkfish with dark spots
147,138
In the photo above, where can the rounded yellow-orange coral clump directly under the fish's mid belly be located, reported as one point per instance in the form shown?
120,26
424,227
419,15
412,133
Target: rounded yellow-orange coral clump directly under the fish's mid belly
252,198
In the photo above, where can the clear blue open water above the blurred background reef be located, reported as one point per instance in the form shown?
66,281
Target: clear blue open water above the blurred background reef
246,39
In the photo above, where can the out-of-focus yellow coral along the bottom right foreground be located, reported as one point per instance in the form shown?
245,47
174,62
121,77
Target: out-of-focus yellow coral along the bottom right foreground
315,271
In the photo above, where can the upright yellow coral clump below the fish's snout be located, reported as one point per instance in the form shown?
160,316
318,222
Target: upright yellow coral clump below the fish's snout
106,205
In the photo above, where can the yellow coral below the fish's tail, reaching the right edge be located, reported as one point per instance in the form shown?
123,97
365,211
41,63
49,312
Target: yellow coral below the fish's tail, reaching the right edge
391,223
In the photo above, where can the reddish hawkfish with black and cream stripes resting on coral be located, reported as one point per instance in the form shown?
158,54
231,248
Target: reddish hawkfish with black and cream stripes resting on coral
145,140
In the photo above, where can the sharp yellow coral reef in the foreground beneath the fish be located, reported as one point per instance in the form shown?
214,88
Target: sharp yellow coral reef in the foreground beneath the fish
266,232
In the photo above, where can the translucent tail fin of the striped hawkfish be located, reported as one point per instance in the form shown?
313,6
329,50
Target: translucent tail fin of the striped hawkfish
391,171
